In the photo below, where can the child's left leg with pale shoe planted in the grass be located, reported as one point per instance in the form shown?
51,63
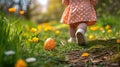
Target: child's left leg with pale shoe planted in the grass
72,31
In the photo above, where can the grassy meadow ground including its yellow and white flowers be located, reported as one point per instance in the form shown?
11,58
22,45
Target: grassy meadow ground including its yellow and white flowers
22,43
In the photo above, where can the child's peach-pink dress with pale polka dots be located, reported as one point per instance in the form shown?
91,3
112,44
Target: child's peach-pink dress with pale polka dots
79,11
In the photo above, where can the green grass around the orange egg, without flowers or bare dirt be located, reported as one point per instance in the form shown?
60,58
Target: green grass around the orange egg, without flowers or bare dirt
14,36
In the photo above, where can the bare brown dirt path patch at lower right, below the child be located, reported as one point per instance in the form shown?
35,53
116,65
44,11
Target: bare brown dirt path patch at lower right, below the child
95,59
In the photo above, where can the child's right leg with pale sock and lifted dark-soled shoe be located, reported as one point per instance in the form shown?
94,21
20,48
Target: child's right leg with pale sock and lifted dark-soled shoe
81,29
